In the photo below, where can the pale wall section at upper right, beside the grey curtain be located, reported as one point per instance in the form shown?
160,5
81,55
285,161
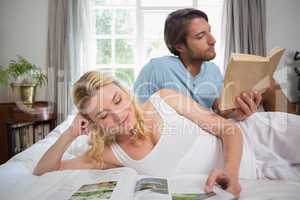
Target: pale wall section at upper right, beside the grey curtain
283,25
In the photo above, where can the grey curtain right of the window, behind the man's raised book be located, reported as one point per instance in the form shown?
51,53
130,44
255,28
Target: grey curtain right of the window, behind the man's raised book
243,28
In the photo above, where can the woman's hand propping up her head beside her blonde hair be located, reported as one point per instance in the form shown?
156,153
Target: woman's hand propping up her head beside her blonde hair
79,126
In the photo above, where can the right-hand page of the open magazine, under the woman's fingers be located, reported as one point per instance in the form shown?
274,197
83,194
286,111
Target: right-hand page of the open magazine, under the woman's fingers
183,187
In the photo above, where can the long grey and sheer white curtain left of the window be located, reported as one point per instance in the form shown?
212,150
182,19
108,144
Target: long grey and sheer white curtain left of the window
70,50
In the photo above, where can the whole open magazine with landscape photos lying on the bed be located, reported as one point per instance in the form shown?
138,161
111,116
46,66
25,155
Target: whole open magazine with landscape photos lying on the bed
126,184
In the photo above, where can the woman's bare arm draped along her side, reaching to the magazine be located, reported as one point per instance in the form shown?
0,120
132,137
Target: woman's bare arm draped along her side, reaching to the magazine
227,131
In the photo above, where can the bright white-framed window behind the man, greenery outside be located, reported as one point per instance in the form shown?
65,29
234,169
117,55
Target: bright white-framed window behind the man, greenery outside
130,32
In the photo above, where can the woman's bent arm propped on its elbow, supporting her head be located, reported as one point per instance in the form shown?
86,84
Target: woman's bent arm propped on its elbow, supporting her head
52,159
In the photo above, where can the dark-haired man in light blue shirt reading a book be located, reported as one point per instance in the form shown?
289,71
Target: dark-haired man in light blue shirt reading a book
188,36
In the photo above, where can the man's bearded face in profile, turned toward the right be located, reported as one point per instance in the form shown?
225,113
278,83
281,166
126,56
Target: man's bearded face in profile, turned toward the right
199,41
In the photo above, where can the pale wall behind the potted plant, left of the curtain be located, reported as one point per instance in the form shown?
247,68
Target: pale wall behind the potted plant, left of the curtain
23,31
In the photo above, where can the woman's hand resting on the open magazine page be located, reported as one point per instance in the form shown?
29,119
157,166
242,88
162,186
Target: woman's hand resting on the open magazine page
227,180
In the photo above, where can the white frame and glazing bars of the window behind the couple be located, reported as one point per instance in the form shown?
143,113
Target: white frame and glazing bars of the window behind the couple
139,36
